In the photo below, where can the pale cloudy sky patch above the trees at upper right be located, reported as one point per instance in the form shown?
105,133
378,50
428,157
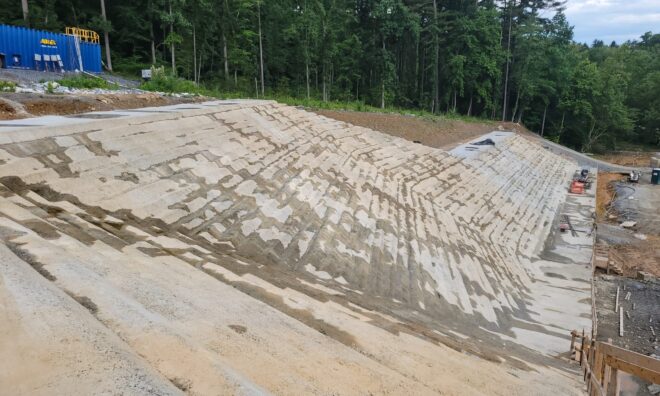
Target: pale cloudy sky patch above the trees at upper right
608,20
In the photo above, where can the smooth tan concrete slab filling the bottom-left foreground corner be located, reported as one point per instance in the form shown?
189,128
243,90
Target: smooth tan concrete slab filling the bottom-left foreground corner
47,338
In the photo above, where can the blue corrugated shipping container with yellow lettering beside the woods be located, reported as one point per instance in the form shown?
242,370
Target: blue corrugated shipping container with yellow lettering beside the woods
23,48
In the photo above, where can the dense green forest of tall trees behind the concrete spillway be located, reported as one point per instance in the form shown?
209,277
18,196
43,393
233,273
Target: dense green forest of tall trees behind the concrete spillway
512,60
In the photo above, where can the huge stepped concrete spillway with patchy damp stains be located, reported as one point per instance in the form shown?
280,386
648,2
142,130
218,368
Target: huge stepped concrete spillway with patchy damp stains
252,247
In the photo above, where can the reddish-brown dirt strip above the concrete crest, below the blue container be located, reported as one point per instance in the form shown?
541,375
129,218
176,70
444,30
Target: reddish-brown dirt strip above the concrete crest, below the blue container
22,105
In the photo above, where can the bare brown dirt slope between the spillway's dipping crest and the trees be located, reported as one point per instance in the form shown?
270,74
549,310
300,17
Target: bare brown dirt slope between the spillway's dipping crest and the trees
438,132
